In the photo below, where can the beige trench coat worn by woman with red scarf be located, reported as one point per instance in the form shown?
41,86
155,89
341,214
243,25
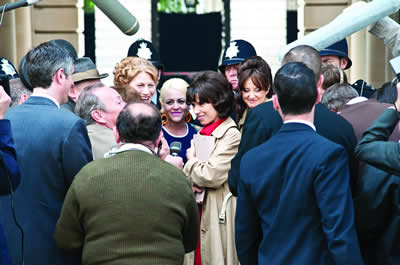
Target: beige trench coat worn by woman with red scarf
217,237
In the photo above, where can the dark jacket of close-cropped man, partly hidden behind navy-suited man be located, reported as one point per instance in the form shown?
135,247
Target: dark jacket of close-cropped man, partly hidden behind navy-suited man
262,122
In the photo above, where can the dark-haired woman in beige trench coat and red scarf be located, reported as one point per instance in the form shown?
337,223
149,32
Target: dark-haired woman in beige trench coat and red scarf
213,101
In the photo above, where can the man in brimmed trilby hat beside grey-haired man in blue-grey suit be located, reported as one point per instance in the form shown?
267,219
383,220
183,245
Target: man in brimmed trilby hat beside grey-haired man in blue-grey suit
85,74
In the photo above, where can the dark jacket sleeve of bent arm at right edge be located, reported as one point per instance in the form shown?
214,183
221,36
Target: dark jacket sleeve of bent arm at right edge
374,147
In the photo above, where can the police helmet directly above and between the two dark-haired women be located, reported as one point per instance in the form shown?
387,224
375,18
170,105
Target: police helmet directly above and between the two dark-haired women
236,52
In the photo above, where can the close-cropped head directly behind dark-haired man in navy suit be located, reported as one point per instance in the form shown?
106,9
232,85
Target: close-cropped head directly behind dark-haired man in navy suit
306,55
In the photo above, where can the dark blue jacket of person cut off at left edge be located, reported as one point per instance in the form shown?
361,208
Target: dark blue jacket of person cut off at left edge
9,171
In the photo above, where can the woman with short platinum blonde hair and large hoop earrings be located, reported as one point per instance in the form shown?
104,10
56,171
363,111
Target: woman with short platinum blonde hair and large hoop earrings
175,114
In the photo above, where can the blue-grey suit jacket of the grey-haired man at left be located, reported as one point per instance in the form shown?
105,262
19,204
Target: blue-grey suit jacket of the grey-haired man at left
52,146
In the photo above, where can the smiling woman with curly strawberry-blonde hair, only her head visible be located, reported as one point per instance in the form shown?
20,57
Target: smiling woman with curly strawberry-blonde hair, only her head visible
135,77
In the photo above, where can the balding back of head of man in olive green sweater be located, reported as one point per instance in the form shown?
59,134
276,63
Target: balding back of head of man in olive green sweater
139,122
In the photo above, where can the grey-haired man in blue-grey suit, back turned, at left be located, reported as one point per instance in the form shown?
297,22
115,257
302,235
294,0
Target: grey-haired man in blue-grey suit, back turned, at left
52,146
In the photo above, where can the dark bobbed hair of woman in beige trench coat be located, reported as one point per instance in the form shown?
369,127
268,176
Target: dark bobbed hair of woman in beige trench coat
212,87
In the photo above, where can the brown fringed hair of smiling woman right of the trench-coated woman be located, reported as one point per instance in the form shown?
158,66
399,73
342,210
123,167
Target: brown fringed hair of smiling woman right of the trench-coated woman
258,70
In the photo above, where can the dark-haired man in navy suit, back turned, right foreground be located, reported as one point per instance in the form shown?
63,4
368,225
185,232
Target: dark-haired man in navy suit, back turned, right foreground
298,209
